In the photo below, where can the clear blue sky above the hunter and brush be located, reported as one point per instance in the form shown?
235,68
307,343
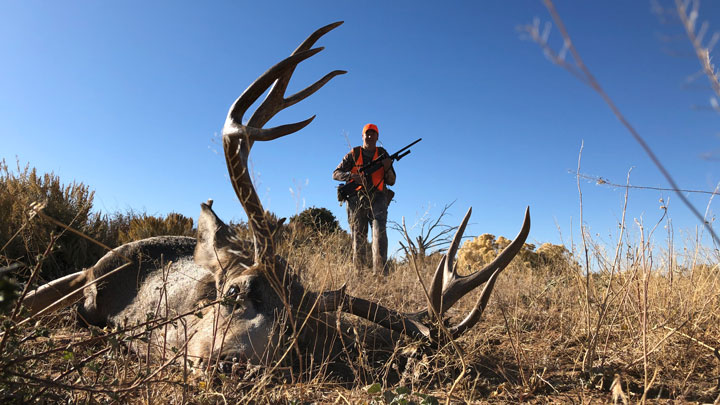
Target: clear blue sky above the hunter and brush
129,97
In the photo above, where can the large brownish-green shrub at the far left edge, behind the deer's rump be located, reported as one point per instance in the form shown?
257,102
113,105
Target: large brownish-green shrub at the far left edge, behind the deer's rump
24,241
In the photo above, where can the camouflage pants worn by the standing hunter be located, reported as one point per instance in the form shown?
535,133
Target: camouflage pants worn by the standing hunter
361,214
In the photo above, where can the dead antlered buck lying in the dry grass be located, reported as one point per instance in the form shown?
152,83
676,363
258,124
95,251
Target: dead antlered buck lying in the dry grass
230,295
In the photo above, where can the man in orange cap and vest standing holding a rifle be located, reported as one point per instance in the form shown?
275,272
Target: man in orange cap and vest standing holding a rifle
368,205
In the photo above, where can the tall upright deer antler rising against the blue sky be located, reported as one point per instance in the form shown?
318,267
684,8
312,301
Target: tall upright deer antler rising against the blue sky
238,138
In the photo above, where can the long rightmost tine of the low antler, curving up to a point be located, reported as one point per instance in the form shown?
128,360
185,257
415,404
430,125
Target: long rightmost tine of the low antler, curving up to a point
461,285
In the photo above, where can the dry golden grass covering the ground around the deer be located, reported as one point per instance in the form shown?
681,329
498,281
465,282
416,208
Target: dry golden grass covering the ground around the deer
642,323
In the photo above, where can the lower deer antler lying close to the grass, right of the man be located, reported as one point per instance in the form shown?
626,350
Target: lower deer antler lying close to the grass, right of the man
446,288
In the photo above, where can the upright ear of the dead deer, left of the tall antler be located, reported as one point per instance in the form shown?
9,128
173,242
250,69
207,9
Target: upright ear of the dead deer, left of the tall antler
213,240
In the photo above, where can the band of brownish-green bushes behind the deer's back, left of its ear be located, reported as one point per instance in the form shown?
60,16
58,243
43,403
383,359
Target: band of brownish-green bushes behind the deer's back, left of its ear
24,240
